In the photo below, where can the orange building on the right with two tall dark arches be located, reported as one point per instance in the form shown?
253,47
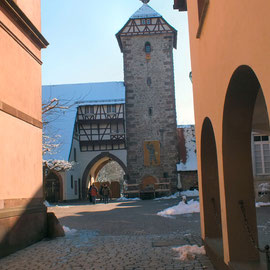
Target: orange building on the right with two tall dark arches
232,100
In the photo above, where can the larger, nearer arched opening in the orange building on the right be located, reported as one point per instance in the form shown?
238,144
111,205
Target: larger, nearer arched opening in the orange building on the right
239,222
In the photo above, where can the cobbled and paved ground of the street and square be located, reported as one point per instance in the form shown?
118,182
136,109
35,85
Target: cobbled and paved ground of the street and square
123,235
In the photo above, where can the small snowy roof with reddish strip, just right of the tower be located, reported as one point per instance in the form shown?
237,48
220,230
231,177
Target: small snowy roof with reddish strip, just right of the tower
187,148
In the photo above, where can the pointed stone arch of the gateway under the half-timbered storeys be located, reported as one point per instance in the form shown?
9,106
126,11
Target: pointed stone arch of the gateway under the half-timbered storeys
95,165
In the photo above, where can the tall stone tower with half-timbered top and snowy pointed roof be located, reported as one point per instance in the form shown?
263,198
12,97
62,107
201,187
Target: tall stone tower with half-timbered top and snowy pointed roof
147,43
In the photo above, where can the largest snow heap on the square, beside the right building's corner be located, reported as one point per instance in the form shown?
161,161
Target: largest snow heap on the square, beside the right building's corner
181,208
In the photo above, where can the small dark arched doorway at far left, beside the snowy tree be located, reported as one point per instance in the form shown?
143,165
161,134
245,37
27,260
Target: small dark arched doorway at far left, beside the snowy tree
53,187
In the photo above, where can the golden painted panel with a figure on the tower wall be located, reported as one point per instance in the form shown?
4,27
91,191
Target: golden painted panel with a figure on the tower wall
151,153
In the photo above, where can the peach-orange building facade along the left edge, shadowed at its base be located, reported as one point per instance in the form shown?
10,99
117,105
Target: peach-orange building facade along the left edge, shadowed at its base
22,213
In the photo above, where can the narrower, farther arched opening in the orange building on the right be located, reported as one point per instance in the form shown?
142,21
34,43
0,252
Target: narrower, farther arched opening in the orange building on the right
211,216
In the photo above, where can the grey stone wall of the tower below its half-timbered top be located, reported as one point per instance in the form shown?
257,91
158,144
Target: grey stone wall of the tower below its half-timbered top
150,84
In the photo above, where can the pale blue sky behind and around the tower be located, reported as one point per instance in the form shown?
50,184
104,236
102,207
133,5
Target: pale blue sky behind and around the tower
83,47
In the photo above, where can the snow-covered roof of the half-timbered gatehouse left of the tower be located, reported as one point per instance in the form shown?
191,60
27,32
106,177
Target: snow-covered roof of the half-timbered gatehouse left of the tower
73,96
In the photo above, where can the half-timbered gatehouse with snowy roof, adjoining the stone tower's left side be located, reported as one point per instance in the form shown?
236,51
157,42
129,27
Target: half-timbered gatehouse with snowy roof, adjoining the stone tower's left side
90,132
